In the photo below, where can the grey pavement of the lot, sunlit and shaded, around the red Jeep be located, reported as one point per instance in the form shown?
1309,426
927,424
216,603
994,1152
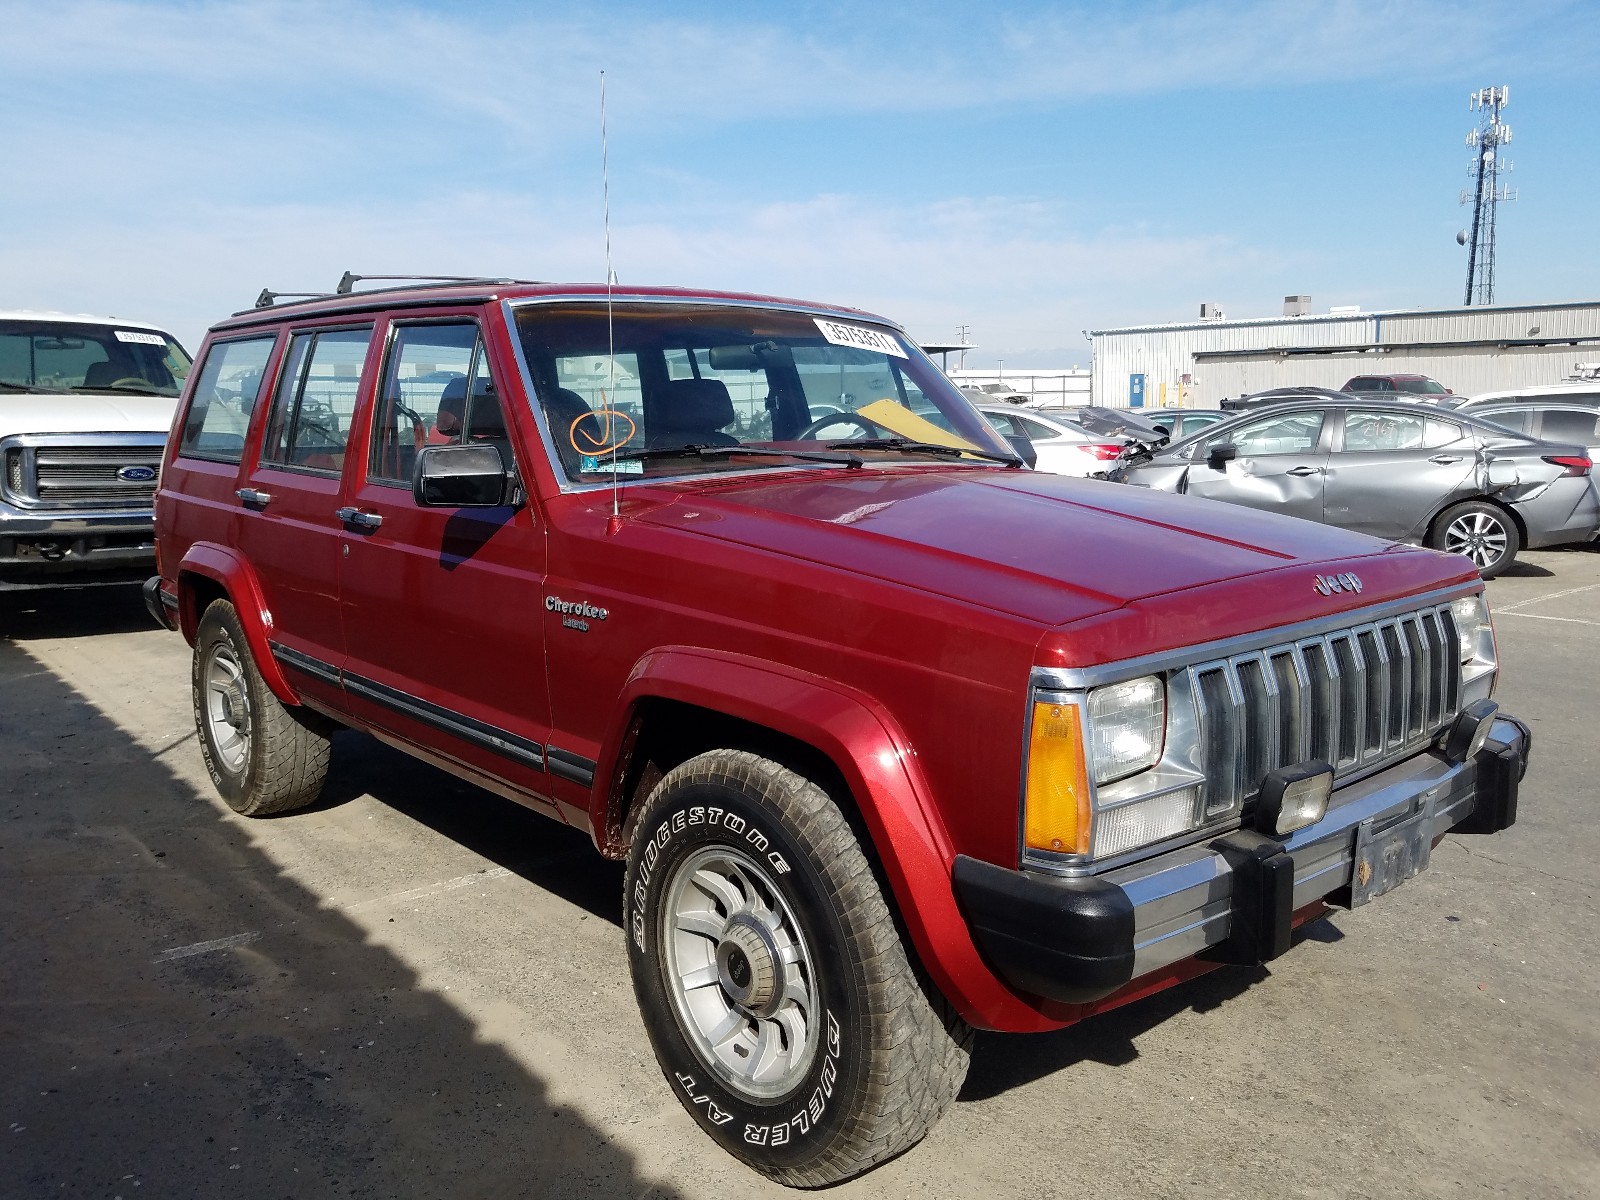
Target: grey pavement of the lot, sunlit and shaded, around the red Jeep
418,990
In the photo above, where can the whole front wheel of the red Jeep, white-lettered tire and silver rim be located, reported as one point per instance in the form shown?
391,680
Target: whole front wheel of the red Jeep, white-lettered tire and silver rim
772,978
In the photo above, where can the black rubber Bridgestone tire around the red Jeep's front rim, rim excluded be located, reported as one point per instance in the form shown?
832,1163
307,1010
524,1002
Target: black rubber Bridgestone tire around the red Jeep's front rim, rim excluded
892,1052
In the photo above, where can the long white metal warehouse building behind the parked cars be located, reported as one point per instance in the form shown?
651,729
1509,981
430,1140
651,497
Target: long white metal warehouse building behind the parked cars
1466,350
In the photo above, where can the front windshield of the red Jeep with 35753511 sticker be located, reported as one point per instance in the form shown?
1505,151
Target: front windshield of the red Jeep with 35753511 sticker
671,390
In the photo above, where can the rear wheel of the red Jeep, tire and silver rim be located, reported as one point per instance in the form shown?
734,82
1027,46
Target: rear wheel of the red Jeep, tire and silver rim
262,754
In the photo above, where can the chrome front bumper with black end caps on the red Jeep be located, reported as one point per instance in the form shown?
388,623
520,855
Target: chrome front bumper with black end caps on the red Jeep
1234,898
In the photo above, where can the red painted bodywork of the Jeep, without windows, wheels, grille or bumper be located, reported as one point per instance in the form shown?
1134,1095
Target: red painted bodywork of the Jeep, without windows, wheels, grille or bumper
887,617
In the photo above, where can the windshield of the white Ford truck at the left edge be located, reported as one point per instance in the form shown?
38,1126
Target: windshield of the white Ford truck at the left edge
63,356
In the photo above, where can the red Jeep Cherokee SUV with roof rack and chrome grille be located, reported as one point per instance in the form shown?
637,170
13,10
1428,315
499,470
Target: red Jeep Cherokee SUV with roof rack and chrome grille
898,738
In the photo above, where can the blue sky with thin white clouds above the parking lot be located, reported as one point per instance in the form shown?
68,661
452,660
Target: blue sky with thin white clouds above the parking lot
1030,170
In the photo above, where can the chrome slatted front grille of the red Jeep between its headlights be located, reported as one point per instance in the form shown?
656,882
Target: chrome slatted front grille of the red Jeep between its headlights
1354,698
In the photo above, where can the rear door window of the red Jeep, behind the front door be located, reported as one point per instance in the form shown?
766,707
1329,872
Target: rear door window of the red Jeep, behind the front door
316,401
